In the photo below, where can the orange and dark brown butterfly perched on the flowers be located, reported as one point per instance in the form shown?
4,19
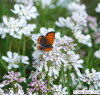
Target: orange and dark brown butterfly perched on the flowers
46,42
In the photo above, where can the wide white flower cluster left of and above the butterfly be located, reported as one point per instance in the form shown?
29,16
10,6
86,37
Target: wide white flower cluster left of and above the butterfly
17,27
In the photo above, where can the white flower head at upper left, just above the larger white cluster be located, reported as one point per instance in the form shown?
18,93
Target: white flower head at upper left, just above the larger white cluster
26,12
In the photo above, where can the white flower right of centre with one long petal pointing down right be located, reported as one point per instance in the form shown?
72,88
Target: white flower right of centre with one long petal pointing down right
73,60
